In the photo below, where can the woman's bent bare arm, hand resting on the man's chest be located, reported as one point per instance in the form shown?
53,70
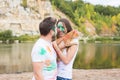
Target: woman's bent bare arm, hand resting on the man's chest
70,53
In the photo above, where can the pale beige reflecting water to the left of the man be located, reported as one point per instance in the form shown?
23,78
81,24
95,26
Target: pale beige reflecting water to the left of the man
15,57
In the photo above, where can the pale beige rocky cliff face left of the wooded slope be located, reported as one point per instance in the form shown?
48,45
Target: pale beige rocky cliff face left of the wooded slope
23,17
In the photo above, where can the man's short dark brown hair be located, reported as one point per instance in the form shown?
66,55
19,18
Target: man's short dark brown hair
46,25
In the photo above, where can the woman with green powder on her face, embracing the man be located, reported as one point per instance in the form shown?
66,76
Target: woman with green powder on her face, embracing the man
67,54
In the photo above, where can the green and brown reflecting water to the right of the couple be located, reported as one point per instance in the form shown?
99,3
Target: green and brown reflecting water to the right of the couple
93,55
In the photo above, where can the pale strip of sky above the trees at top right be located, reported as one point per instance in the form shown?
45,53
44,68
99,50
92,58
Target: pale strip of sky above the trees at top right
115,3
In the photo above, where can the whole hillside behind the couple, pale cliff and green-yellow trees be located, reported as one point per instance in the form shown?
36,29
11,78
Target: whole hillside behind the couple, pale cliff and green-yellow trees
24,16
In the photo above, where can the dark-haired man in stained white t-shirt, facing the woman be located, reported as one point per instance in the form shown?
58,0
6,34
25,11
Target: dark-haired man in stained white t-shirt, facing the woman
43,54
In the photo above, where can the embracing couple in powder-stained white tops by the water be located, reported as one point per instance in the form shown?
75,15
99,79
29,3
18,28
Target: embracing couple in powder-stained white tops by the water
45,52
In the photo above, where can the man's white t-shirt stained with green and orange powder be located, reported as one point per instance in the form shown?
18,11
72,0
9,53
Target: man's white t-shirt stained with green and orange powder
43,52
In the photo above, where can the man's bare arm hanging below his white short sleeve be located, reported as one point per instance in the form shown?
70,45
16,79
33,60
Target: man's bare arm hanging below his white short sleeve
37,68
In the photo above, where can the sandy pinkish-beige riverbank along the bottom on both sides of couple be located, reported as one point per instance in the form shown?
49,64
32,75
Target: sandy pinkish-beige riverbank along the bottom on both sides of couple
81,74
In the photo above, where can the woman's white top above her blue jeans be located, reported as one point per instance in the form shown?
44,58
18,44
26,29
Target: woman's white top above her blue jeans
65,70
